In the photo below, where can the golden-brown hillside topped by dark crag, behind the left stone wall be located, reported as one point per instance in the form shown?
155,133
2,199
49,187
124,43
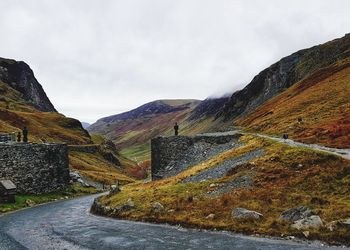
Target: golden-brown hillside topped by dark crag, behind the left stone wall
23,102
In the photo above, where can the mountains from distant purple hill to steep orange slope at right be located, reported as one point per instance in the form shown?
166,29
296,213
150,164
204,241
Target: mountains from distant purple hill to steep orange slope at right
271,103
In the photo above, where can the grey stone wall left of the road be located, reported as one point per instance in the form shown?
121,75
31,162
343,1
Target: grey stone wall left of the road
35,168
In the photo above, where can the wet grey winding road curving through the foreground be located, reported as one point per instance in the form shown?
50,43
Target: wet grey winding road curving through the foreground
69,225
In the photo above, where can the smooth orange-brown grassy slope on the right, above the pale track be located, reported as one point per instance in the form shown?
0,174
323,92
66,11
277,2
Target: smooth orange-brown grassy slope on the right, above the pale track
321,100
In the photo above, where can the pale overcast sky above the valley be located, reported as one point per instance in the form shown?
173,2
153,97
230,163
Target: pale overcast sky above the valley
97,58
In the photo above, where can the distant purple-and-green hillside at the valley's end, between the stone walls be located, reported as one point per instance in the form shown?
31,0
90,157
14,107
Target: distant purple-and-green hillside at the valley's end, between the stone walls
131,131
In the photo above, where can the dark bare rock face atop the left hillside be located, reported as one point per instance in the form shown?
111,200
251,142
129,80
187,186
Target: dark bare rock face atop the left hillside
20,77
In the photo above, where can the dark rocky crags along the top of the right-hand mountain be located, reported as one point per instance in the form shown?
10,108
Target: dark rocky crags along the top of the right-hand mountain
283,74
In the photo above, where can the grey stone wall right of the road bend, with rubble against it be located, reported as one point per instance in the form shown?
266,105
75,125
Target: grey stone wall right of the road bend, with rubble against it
167,151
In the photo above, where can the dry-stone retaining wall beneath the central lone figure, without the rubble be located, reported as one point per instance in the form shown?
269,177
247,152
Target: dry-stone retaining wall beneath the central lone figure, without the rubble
165,150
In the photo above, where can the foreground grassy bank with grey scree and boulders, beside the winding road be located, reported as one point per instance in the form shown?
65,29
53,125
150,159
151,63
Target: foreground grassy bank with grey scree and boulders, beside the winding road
257,174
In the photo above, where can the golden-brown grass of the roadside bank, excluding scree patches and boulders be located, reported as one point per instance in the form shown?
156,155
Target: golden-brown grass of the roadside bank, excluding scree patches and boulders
321,183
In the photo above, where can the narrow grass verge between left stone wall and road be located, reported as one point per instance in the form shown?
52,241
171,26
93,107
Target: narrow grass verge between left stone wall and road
71,191
